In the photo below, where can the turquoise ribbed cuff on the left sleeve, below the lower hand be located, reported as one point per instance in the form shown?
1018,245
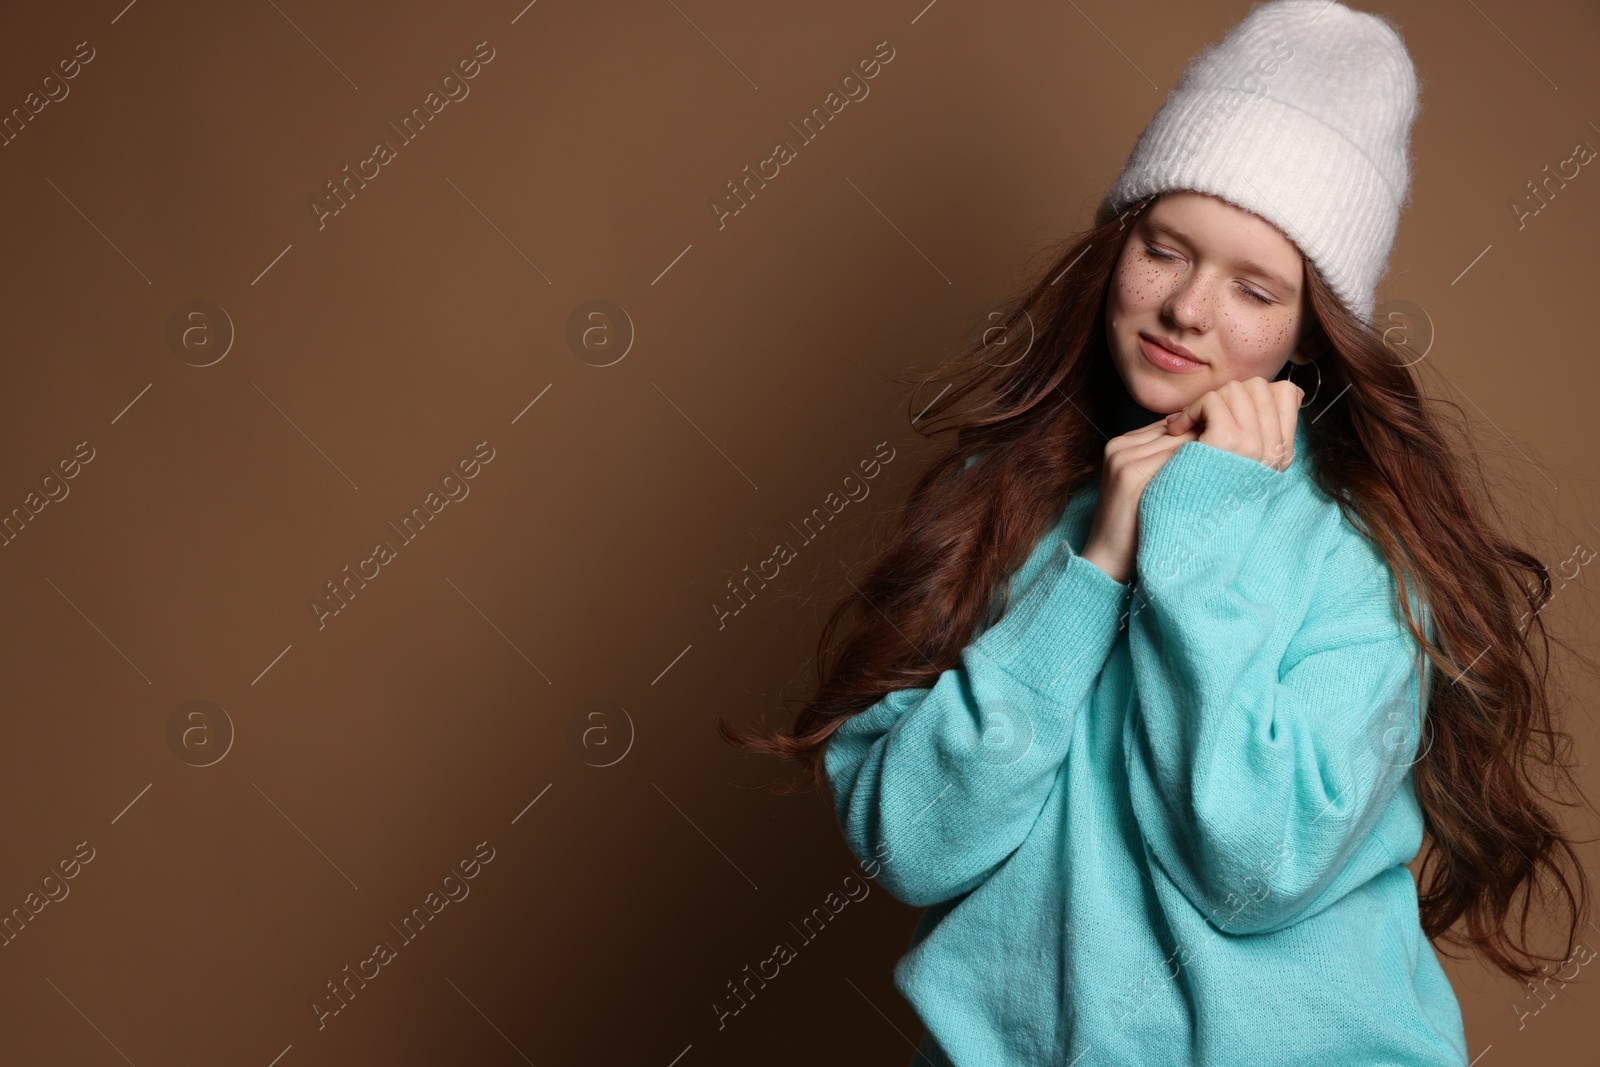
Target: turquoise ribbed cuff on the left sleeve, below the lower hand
1060,631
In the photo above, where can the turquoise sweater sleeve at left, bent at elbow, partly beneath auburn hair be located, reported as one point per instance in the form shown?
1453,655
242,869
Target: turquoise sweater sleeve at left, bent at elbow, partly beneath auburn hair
942,785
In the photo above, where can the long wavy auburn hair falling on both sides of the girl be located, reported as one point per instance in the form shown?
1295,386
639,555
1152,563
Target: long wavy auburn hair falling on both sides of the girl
1489,748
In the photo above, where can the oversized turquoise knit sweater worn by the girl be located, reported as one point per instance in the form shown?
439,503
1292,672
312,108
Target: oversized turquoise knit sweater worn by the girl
1167,823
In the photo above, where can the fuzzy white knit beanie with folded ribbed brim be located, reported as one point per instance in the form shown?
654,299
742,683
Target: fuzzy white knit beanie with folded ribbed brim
1303,116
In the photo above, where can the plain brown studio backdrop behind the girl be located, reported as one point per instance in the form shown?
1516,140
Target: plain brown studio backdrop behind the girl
369,356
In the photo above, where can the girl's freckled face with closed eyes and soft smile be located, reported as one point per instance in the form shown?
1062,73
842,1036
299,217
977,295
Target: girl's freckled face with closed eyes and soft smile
1214,279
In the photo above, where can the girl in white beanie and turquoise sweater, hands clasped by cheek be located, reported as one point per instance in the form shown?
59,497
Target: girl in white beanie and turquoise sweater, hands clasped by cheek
1196,634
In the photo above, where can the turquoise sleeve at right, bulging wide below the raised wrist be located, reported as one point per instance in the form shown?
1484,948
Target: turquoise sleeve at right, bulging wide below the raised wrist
1273,727
